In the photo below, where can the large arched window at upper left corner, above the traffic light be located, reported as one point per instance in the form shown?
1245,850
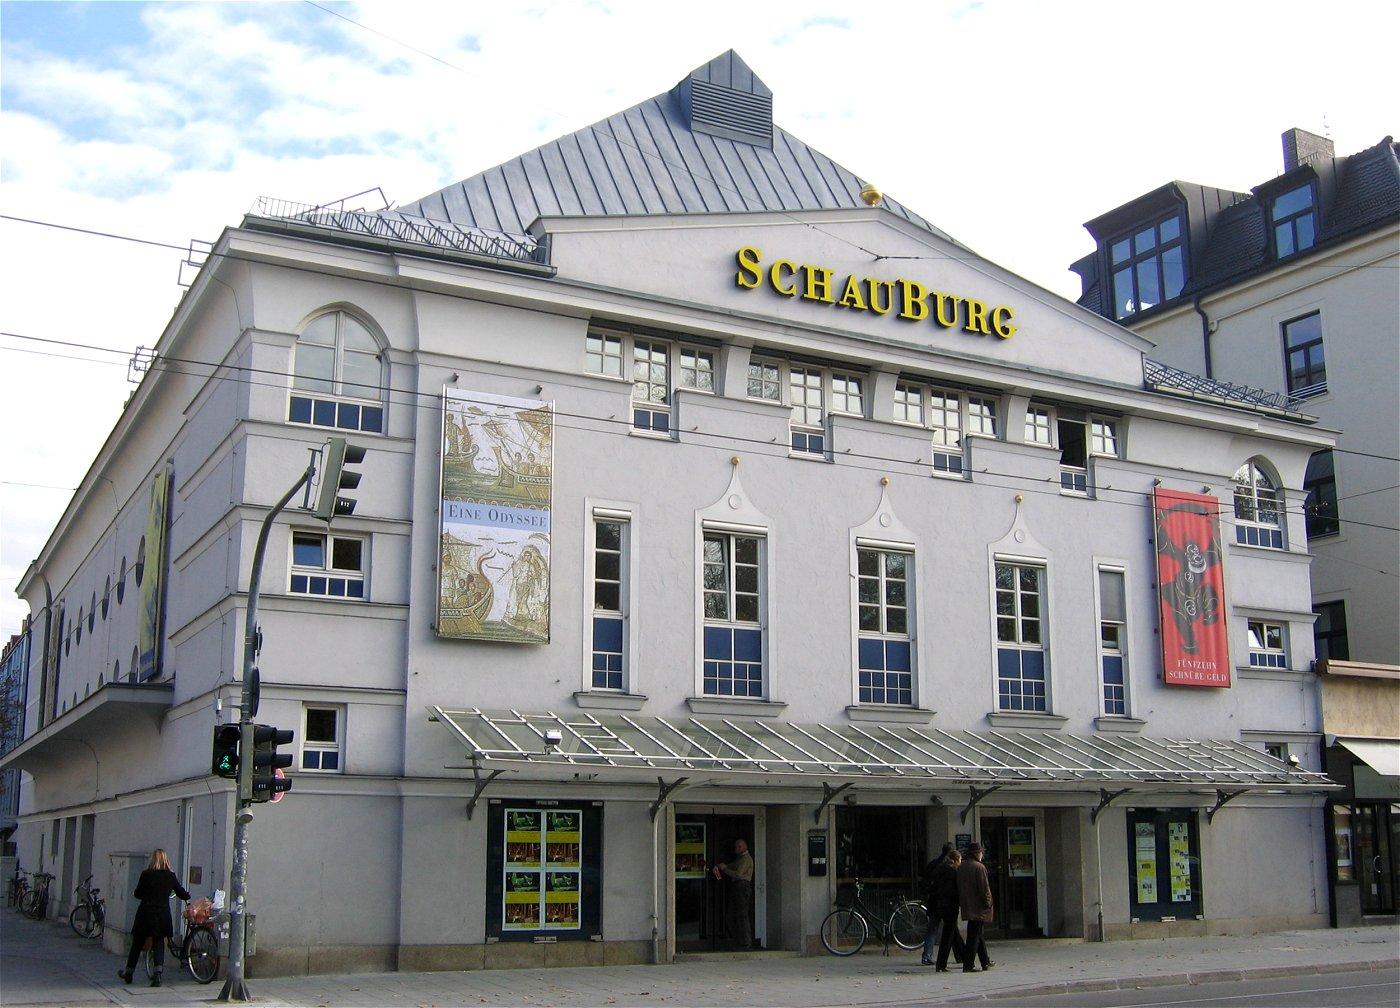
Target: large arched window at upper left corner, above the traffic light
338,376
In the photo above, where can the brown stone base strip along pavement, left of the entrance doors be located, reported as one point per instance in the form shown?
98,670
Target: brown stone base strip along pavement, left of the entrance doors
302,961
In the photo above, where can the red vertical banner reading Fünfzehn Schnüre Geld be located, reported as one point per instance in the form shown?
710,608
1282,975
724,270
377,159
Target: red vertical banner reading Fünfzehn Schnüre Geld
1191,587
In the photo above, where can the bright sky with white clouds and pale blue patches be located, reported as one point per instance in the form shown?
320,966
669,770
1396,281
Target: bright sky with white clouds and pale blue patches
1006,124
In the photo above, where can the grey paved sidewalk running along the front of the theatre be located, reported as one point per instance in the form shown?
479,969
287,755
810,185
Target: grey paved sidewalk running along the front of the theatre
44,964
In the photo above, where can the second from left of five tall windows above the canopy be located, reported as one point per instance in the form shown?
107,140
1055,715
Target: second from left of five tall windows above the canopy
733,607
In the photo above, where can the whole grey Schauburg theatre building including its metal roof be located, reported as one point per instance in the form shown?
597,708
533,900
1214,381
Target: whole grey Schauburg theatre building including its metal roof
687,517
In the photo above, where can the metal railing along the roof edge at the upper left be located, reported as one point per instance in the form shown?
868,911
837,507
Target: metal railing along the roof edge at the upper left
407,229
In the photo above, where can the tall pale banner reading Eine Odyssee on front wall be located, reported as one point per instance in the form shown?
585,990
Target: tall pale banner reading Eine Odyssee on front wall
498,486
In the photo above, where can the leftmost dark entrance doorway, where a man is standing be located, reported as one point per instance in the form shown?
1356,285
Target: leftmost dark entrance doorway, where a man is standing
703,904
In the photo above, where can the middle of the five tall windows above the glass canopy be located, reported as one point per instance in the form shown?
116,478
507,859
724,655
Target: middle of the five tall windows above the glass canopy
884,619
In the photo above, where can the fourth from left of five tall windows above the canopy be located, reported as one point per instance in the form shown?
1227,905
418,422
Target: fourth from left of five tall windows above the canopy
1021,647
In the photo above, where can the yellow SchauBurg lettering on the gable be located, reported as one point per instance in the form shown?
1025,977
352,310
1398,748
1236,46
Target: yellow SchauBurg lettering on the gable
909,299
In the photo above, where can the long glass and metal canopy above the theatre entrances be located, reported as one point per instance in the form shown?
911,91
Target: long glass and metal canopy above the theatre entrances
624,748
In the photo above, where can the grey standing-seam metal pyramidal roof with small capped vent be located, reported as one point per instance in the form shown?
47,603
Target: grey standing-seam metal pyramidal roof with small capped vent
706,146
